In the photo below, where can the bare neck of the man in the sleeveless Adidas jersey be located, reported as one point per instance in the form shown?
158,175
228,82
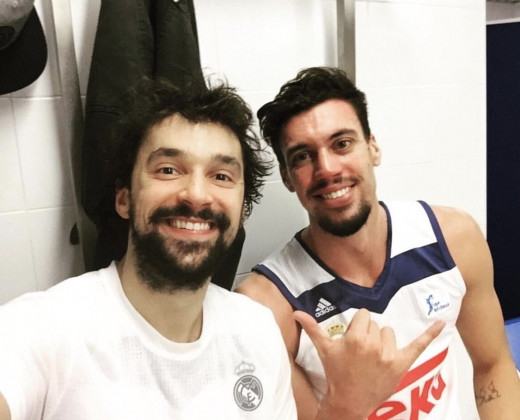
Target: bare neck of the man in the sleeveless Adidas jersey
358,258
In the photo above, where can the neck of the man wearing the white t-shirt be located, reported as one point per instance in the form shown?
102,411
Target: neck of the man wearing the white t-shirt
175,315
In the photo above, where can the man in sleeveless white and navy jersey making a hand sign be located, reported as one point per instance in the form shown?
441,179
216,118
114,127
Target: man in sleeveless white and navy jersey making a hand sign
374,285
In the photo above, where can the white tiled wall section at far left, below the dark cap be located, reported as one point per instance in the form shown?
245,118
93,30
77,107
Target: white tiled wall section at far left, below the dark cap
37,202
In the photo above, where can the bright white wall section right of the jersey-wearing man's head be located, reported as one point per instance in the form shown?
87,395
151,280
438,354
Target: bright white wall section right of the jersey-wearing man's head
422,65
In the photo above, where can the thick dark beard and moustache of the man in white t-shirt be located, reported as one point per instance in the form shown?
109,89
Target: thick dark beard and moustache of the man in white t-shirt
171,265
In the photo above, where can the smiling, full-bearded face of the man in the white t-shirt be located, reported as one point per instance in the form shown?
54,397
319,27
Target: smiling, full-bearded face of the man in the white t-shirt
185,203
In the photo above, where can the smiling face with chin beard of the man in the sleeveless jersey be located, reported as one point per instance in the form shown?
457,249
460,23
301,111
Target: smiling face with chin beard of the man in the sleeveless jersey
330,166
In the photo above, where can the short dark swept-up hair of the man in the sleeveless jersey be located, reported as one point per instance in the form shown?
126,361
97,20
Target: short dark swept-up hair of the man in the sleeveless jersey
309,88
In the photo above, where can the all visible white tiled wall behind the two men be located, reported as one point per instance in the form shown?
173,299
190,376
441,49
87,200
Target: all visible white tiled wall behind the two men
421,62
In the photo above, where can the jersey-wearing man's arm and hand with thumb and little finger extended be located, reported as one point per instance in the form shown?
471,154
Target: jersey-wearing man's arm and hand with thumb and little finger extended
364,356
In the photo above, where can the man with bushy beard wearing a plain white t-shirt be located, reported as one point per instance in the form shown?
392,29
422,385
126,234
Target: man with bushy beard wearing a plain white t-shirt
150,336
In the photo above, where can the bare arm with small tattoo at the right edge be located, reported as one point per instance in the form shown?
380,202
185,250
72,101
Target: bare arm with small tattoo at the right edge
480,322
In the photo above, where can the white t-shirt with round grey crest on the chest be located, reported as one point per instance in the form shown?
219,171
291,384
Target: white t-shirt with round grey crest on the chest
81,351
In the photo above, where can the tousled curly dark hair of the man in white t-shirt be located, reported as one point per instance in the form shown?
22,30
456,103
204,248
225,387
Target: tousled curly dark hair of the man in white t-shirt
152,101
